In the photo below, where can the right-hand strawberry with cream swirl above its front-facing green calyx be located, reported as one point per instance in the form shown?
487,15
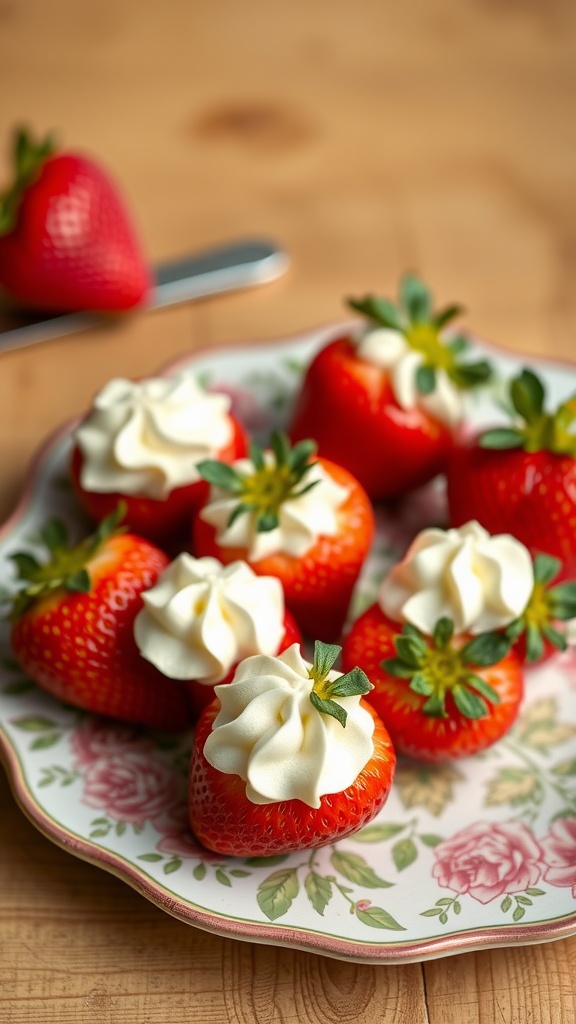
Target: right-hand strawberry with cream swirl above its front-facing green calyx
446,680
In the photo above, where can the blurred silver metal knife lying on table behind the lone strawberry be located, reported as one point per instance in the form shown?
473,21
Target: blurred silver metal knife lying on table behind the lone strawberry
224,269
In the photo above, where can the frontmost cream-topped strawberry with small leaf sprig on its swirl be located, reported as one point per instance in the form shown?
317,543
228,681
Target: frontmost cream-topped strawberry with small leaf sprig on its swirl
289,757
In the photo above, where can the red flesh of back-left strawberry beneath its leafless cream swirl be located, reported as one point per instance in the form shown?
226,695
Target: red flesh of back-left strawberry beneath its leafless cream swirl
168,522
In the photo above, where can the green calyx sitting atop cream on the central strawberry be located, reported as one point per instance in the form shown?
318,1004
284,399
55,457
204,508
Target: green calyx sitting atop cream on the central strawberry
270,483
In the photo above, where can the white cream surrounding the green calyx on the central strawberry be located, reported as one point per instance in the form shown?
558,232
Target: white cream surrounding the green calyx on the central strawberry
302,521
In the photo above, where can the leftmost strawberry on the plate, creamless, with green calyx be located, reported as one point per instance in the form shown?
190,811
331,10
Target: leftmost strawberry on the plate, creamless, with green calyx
73,622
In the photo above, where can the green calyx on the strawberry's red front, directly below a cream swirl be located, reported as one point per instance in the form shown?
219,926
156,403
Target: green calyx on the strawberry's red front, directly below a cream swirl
435,667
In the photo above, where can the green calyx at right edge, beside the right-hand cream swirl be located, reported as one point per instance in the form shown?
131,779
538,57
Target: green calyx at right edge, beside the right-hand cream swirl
547,608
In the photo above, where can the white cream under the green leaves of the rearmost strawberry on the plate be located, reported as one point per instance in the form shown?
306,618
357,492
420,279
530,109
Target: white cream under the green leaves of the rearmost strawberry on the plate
390,351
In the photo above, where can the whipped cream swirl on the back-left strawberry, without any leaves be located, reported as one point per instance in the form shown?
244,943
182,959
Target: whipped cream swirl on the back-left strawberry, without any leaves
146,439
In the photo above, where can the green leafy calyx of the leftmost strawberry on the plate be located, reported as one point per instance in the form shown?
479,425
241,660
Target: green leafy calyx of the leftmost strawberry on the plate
67,567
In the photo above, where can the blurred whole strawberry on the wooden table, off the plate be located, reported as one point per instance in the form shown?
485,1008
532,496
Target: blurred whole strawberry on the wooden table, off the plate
67,241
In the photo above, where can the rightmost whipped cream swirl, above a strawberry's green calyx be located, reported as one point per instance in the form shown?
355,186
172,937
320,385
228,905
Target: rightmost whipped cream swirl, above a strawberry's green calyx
479,581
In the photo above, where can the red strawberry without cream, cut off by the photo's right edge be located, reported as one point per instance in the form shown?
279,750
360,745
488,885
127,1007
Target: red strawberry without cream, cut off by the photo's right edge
521,479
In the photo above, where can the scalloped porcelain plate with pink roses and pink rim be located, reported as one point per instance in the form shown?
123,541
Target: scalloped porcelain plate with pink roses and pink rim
474,854
